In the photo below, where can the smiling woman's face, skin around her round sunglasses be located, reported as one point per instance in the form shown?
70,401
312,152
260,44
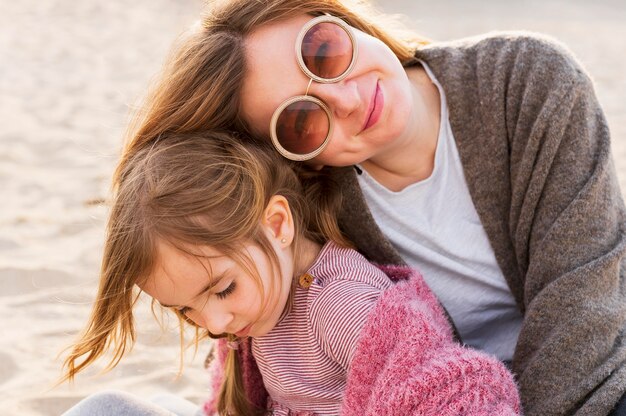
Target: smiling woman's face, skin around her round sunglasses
371,107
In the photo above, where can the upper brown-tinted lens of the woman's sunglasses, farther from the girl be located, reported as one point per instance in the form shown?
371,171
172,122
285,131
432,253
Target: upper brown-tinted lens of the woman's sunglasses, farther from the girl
327,50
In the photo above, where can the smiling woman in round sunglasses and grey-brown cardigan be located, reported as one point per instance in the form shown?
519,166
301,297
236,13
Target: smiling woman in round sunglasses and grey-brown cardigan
483,162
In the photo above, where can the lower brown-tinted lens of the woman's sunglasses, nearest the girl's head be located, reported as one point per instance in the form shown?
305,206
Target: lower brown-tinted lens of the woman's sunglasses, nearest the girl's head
302,127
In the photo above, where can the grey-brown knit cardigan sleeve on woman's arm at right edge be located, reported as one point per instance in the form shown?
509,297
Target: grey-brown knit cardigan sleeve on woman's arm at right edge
566,223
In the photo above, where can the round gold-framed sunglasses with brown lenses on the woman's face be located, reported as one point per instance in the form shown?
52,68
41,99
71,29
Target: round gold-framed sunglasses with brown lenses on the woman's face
302,125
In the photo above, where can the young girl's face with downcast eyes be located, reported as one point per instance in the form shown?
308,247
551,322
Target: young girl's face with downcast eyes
216,293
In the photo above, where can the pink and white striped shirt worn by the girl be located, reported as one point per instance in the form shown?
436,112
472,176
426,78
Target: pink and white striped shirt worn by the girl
304,360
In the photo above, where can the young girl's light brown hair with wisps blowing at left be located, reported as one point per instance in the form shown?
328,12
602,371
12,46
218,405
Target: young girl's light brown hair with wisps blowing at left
199,189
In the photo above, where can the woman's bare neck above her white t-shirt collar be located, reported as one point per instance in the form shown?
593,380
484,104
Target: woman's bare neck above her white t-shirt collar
411,158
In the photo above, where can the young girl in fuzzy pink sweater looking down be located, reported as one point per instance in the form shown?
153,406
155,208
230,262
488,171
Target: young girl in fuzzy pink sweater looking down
224,235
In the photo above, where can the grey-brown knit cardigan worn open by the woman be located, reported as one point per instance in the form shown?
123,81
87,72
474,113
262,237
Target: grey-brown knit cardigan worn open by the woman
535,149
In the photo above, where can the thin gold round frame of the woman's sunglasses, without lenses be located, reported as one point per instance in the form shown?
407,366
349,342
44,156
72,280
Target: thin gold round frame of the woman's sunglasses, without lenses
275,141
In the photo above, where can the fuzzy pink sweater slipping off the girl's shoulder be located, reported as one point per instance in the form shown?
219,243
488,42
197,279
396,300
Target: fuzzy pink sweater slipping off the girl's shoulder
406,363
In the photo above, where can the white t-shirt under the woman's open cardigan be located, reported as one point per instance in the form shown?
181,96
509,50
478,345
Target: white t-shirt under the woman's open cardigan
434,226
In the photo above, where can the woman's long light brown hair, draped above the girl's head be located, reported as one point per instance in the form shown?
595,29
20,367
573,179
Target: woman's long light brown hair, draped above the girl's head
200,85
